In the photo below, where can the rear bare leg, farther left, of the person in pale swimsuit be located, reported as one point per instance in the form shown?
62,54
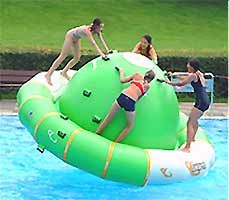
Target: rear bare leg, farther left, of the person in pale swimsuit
64,52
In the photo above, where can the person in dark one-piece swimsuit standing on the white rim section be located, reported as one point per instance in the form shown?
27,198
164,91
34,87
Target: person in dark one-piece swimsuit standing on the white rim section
202,102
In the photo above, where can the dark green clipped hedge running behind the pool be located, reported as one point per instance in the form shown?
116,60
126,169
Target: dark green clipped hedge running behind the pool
42,61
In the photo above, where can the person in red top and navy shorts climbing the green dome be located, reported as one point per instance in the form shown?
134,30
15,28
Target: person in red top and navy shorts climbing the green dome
127,99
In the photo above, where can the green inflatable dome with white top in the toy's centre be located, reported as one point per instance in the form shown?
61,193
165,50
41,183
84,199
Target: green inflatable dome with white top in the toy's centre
157,112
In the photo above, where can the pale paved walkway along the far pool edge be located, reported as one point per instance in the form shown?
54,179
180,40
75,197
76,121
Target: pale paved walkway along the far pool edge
217,110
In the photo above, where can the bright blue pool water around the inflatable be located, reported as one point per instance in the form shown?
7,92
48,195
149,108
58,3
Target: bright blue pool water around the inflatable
27,174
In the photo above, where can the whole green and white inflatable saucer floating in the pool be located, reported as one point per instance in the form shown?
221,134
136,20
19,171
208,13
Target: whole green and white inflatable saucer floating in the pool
63,118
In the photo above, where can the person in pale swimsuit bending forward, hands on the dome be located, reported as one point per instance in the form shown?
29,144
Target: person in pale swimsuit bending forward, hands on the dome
73,39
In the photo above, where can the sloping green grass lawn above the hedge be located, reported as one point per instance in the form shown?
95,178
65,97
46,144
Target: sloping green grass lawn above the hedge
178,28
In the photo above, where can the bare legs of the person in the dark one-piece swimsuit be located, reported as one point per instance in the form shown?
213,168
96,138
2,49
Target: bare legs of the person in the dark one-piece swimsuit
191,127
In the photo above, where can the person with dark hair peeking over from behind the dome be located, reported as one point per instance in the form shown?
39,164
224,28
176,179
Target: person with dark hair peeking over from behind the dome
145,48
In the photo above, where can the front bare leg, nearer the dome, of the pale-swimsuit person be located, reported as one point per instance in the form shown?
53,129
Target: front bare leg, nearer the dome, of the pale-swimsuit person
72,62
